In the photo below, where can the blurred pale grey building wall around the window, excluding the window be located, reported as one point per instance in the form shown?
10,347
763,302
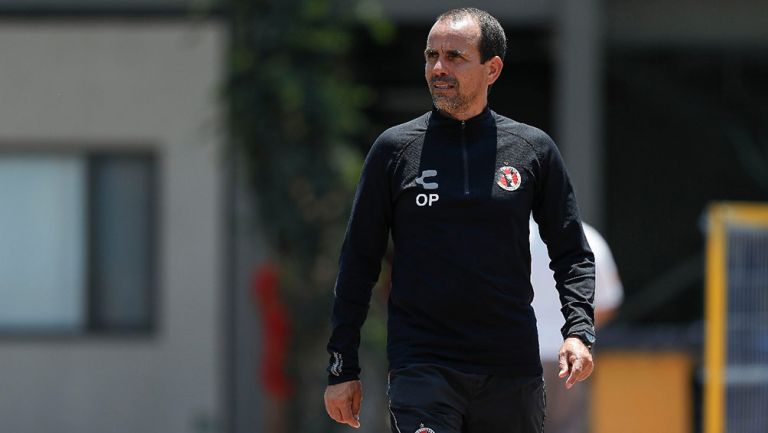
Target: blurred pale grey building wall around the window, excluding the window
93,85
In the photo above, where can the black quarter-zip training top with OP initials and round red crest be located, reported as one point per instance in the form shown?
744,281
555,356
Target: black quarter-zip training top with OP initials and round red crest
457,196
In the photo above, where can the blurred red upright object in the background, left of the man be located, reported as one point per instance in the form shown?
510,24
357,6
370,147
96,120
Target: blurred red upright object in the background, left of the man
275,323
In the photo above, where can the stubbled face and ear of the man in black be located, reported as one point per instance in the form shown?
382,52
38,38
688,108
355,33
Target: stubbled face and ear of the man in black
457,80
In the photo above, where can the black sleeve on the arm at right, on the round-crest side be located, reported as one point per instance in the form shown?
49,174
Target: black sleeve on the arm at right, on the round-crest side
556,211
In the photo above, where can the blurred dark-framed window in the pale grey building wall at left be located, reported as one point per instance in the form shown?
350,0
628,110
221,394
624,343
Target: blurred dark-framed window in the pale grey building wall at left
77,242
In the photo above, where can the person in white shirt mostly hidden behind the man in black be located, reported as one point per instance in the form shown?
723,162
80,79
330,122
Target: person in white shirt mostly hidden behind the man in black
567,410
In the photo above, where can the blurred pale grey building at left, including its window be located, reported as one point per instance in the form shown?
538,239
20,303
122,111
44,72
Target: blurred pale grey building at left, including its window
111,178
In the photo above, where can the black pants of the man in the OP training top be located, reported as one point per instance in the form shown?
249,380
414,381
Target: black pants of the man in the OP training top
435,399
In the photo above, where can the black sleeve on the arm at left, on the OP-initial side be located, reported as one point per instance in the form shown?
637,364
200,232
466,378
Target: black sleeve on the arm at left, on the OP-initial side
364,245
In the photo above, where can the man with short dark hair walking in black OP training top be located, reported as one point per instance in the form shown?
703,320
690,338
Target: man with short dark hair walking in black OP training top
455,187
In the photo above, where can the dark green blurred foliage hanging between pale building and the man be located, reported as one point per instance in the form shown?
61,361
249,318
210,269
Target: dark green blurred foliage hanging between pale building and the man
295,112
